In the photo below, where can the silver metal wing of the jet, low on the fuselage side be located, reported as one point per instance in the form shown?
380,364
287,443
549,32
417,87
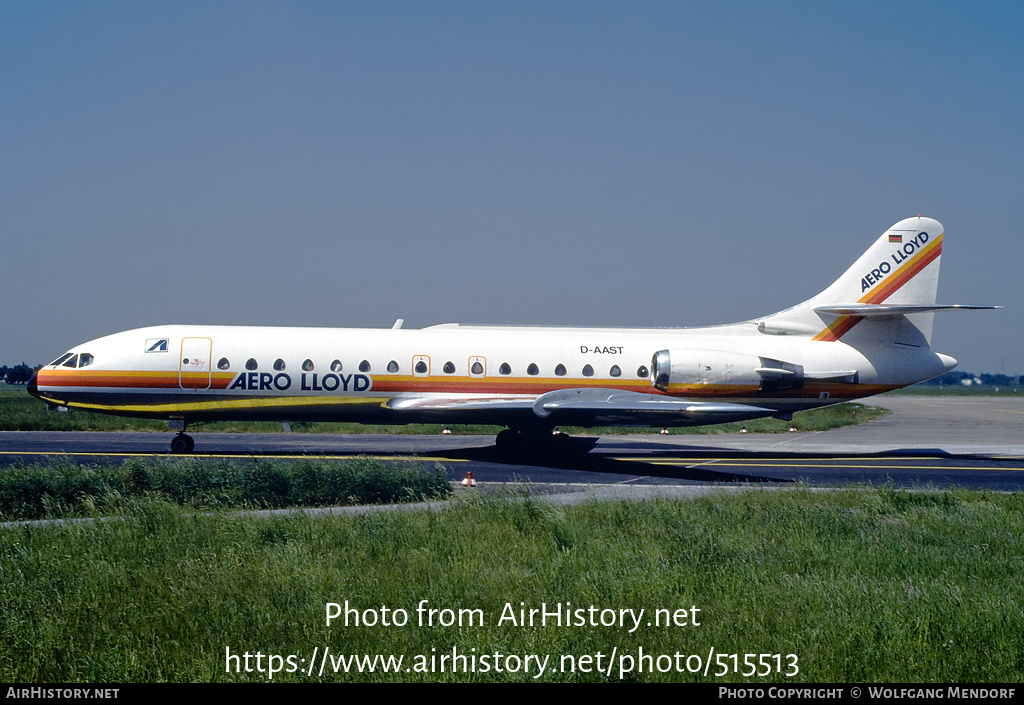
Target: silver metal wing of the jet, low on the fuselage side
593,407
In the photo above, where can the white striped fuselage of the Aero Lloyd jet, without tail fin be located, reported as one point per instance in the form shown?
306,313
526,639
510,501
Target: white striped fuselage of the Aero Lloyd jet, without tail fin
392,376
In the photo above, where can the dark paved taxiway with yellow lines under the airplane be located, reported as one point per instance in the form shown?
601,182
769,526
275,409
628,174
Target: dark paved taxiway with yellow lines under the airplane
971,442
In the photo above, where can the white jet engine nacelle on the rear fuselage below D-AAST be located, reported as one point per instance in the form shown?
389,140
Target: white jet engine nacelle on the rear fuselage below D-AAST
695,367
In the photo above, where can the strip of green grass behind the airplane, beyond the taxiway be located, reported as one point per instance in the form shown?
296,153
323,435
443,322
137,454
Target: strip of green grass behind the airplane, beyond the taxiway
20,411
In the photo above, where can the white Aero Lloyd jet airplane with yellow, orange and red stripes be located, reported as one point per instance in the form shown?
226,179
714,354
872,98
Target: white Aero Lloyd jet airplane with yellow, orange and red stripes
870,333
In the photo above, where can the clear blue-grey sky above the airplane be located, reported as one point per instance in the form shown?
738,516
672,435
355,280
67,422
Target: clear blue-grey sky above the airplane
577,163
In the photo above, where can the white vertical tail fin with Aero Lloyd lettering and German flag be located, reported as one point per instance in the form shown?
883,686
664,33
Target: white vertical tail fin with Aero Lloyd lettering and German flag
893,284
